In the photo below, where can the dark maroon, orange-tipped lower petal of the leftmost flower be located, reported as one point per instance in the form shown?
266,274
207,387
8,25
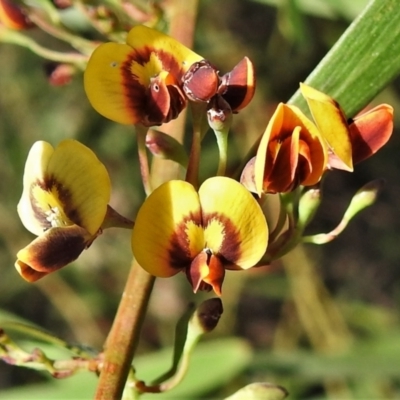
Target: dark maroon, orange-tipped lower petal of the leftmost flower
55,249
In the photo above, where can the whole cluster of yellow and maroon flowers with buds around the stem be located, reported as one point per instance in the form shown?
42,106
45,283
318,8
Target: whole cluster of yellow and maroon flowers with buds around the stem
199,229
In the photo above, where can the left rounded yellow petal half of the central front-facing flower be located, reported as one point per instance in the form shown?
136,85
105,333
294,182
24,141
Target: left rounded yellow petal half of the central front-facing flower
167,234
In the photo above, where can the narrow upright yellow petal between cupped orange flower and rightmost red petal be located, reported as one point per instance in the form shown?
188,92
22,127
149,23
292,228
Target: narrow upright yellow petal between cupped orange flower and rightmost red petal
331,122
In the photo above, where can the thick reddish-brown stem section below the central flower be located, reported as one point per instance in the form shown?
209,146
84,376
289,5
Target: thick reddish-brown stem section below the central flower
124,335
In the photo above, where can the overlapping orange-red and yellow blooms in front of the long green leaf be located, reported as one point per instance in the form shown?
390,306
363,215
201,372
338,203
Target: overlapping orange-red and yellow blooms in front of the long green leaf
297,151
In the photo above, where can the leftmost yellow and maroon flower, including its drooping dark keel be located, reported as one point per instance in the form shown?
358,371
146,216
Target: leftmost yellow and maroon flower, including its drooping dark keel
64,202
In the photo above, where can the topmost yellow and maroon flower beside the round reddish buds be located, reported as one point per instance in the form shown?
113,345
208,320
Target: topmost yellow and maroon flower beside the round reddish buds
140,81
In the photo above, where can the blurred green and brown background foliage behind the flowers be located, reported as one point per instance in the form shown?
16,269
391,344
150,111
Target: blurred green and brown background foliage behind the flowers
323,322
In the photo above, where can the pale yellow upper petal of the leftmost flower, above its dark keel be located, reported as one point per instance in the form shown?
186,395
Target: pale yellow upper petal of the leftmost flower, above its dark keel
64,186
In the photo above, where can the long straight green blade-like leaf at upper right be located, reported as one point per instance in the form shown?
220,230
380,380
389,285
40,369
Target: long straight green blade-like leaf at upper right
363,61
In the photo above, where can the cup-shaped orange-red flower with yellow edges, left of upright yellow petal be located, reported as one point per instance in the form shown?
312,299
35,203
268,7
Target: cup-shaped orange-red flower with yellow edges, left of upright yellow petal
291,153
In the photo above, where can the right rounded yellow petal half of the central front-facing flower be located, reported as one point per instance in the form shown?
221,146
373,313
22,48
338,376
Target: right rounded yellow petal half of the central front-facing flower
234,224
